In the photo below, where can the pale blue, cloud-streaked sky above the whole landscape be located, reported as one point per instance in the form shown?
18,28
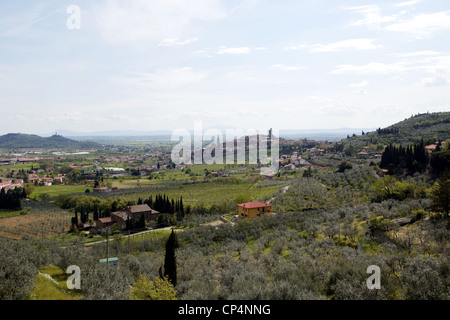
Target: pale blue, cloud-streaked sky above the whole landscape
143,65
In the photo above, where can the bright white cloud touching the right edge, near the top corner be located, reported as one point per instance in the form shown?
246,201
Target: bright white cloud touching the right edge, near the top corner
423,25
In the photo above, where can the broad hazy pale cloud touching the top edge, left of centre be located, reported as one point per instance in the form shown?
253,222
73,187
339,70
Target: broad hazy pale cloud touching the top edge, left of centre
139,21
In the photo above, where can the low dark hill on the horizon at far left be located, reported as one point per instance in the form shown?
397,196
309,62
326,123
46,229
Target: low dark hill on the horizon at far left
32,141
